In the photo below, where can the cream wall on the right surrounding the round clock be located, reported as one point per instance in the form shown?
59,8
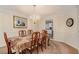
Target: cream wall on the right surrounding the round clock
62,32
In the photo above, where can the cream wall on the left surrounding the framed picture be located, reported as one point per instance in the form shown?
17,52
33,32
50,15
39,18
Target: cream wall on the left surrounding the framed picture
6,24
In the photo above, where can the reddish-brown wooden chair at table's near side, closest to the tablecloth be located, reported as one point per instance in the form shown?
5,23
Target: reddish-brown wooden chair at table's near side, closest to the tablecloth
33,45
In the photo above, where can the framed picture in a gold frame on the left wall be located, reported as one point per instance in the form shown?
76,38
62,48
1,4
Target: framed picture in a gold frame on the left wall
19,22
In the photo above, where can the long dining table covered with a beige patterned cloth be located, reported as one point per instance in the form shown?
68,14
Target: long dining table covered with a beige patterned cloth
20,43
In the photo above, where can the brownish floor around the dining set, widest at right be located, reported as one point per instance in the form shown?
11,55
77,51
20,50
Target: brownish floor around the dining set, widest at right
55,47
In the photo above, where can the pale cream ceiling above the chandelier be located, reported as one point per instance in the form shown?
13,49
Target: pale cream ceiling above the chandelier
39,9
